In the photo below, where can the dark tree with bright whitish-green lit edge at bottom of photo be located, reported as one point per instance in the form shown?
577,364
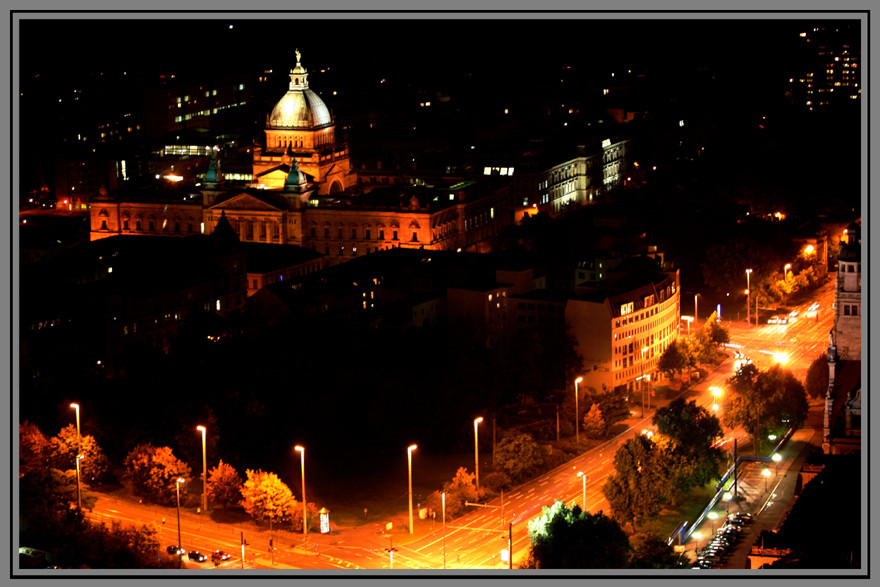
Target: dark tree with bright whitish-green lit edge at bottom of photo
569,538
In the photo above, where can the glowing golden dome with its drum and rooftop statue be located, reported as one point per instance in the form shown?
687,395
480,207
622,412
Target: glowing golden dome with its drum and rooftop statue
301,127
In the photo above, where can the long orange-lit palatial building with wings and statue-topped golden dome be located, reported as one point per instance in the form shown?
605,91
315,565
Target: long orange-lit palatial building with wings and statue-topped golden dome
301,195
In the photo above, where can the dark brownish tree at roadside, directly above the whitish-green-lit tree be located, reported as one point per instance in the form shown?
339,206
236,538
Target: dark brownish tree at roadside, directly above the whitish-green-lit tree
641,483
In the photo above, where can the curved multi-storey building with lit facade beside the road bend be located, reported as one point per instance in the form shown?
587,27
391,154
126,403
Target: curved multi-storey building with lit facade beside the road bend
611,332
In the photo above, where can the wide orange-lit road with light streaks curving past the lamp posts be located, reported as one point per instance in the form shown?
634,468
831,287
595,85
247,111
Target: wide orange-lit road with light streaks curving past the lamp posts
475,540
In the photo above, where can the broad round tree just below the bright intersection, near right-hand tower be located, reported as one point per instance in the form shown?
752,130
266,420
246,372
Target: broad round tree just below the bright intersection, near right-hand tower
760,401
